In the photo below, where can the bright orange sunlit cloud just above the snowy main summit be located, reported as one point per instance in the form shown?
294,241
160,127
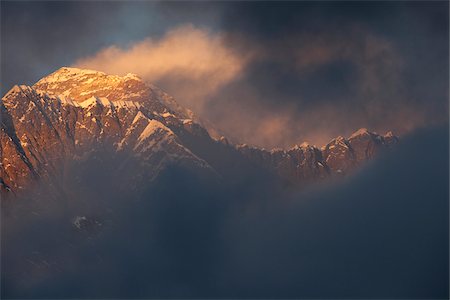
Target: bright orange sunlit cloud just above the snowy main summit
192,62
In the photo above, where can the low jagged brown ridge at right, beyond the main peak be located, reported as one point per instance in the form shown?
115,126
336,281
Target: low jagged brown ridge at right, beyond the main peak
307,163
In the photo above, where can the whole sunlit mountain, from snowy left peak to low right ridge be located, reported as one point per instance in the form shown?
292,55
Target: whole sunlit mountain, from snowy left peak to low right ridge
73,116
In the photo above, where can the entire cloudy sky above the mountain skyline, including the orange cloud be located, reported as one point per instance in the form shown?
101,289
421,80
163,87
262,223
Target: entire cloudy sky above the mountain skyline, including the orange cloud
263,73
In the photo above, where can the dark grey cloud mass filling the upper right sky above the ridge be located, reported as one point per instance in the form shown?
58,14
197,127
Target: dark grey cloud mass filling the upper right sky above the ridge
377,65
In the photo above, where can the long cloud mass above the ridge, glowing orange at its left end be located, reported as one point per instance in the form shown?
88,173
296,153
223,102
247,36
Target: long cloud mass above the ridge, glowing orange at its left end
278,91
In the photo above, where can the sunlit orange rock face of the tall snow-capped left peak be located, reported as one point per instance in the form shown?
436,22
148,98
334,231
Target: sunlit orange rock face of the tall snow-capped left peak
41,132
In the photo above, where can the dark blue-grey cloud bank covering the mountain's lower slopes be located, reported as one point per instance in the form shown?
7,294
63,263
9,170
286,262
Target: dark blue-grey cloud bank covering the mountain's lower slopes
381,233
